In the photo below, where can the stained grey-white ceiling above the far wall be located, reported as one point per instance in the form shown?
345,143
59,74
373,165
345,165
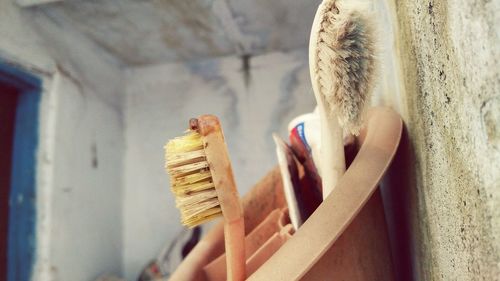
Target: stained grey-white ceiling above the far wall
142,32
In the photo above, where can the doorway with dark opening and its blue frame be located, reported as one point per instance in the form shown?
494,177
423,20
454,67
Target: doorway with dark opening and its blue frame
19,109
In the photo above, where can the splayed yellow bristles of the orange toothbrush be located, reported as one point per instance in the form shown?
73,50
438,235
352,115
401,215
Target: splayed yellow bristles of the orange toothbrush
191,180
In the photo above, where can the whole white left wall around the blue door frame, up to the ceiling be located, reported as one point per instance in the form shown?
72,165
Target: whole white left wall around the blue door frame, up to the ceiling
79,160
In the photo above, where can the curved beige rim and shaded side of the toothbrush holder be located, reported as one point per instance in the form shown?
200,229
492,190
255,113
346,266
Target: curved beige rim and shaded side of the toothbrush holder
307,254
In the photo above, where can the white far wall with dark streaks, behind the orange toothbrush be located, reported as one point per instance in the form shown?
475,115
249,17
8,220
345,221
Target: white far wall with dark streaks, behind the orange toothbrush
161,99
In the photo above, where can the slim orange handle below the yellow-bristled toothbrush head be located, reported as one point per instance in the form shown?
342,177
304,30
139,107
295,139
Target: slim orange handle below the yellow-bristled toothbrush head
234,238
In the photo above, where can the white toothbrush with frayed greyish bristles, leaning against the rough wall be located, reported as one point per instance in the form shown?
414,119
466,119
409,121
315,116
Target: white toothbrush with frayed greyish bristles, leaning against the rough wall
342,66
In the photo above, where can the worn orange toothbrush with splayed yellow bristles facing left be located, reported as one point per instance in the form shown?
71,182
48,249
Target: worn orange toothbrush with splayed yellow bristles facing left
203,184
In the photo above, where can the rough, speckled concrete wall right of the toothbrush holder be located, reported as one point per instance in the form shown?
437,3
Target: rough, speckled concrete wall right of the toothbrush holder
450,62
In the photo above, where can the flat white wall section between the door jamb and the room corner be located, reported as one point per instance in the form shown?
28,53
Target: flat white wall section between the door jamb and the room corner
85,218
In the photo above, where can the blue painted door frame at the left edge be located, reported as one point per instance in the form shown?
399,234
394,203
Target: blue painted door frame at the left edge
22,198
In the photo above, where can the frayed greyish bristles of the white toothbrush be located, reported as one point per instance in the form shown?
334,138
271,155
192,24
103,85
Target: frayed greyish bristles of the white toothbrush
345,65
